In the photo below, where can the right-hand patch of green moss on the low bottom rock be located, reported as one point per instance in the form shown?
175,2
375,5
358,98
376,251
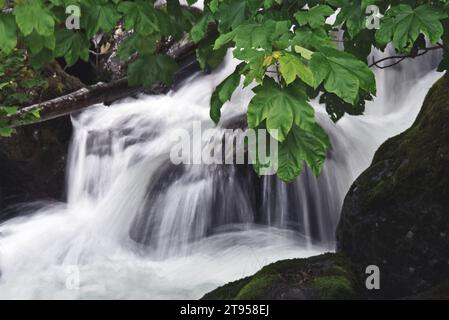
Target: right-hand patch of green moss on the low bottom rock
334,287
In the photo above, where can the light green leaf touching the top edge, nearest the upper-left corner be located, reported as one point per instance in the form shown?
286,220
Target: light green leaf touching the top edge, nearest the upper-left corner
32,15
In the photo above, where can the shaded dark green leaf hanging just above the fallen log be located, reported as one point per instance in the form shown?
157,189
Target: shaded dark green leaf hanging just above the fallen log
146,71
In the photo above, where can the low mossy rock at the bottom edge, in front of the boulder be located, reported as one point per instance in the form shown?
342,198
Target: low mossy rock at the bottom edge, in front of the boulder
327,276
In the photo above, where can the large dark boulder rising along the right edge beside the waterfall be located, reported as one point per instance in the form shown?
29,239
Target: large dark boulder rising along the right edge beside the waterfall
396,214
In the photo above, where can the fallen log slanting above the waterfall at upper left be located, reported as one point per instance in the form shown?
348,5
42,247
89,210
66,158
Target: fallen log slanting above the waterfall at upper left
107,93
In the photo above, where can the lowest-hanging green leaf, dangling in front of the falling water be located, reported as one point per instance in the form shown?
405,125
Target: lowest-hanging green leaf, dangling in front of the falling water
302,145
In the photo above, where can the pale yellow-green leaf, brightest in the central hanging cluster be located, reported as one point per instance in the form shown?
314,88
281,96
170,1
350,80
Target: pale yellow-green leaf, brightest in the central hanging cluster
292,66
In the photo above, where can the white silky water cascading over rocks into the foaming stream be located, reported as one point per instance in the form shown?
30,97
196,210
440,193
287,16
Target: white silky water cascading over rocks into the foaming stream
137,226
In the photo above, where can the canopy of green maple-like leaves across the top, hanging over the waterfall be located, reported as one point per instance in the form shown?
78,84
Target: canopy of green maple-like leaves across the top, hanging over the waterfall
286,48
